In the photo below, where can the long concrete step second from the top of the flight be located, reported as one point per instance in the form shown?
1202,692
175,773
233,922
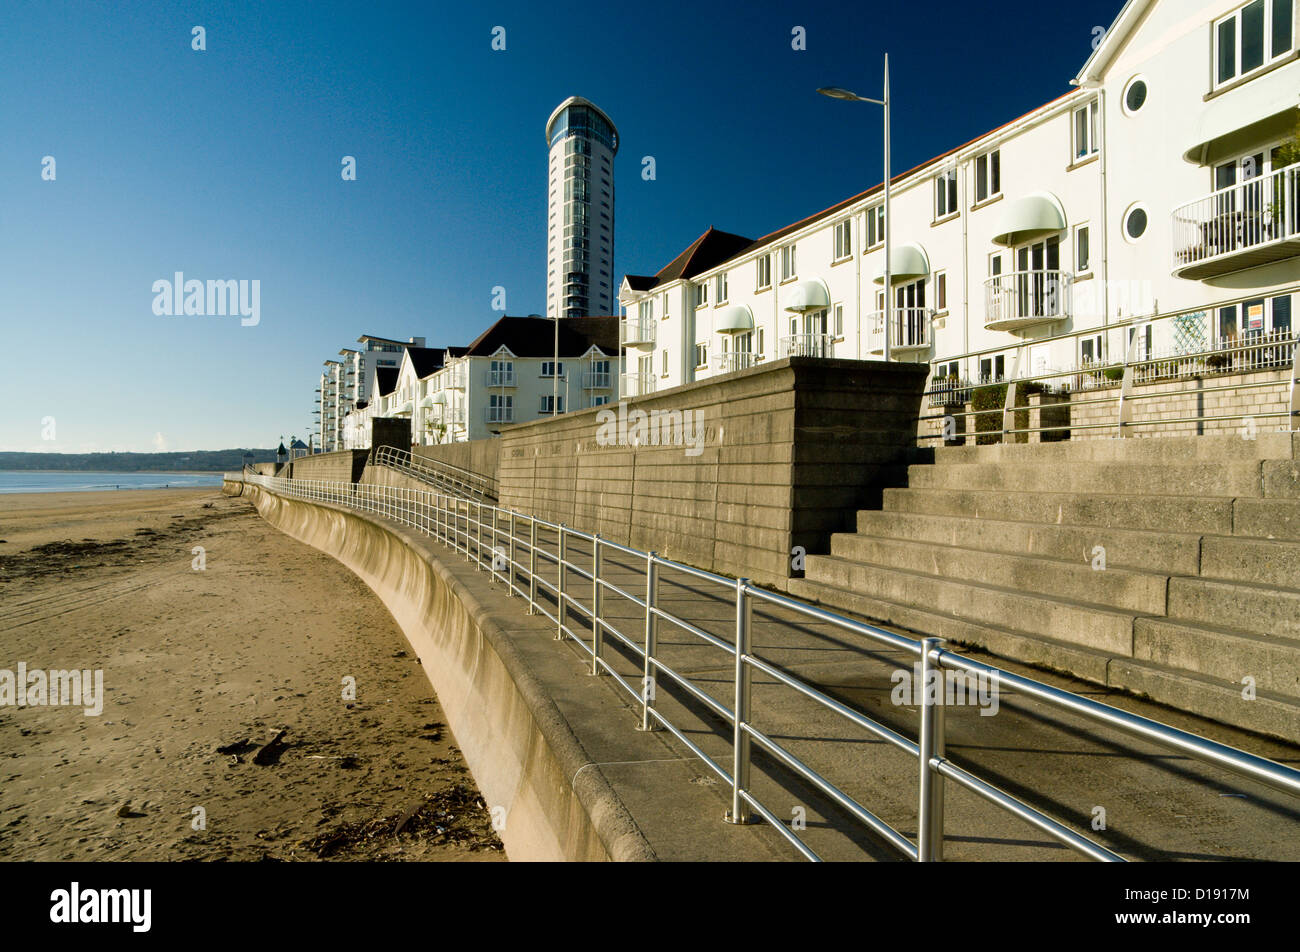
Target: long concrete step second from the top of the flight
1124,477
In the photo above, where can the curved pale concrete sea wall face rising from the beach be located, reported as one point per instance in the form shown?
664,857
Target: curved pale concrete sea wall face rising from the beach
519,747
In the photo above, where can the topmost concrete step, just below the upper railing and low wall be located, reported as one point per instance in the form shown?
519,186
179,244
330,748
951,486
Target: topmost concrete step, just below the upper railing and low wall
1228,448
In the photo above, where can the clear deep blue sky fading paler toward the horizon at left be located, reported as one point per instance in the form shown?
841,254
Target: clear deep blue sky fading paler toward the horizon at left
226,165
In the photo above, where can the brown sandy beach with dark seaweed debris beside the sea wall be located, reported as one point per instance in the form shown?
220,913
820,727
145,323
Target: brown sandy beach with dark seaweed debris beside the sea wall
226,733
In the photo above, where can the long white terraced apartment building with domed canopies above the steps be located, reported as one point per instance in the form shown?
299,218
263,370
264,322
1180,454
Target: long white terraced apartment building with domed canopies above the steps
1163,183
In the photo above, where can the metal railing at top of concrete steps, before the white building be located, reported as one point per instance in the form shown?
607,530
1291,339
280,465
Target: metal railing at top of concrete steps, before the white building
1156,349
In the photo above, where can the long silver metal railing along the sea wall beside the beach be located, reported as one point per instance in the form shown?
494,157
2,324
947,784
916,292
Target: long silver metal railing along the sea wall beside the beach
512,547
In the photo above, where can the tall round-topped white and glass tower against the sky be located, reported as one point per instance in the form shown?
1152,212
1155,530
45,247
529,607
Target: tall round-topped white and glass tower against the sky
580,210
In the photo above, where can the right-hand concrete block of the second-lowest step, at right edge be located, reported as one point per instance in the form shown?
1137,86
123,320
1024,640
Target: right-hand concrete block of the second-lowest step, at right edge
1221,654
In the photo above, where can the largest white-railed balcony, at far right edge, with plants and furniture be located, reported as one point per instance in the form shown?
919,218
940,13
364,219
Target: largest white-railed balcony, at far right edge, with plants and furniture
1241,227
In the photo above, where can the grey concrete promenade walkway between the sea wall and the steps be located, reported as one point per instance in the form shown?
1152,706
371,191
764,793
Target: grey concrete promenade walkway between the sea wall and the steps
1158,806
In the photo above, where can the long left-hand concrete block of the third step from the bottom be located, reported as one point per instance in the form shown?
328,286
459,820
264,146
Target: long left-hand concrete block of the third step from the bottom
1113,587
